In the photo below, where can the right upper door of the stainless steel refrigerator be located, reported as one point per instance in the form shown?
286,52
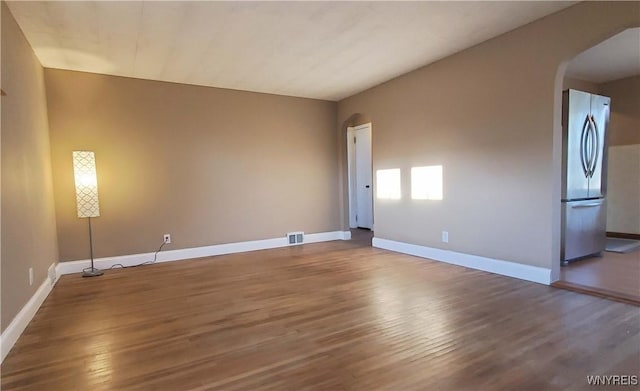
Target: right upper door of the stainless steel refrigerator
597,161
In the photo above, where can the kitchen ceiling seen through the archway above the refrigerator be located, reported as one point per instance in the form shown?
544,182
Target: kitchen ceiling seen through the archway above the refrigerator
616,58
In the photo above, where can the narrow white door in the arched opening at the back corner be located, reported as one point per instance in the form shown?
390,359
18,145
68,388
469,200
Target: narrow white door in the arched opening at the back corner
363,182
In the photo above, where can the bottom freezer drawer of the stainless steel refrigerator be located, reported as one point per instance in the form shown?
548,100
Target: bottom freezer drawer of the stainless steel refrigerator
584,226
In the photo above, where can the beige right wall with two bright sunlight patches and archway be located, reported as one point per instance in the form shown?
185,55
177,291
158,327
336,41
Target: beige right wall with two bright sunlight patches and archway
491,115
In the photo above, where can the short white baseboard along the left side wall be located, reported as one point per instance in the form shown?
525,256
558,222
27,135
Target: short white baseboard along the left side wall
21,321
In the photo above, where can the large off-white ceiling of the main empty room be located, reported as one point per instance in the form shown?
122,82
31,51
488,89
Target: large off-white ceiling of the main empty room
324,50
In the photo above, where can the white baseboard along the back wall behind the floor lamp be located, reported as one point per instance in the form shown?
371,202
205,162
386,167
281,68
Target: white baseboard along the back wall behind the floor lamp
70,267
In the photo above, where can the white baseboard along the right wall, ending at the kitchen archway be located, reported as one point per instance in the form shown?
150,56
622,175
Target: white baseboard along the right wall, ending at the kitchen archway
496,266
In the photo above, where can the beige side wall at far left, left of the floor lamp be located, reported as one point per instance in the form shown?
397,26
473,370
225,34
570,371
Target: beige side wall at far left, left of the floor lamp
28,218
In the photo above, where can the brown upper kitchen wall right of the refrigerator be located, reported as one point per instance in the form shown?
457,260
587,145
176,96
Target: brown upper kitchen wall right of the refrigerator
624,124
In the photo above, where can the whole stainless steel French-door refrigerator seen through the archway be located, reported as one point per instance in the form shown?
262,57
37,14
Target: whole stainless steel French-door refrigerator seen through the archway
585,118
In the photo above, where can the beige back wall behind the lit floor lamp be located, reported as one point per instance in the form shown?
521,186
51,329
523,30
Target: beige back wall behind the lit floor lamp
206,165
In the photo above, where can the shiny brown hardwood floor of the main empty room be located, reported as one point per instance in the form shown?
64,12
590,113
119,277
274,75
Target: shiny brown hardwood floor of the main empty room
328,316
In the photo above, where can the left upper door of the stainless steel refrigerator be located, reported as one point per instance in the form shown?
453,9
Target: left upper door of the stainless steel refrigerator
576,122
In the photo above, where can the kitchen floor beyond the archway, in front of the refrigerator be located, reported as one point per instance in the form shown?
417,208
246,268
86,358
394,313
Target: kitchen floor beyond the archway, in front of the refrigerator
613,275
